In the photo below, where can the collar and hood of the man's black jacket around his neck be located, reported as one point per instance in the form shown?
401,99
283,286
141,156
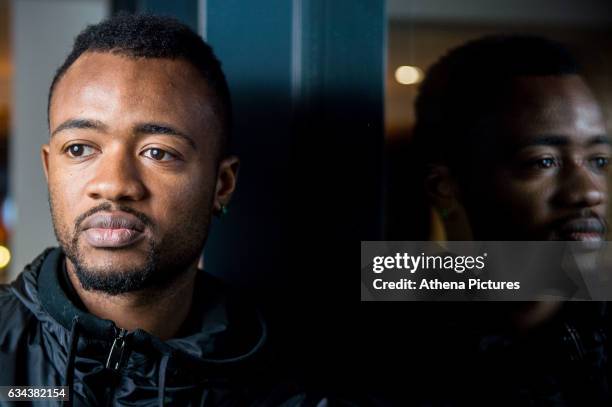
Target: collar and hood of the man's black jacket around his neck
222,329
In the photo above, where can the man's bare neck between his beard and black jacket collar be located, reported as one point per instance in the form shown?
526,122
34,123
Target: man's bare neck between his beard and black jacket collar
160,312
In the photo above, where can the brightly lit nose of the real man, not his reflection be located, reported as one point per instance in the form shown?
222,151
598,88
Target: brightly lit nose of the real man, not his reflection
117,177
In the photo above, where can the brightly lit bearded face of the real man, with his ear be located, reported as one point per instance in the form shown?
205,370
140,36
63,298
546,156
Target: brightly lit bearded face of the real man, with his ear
133,169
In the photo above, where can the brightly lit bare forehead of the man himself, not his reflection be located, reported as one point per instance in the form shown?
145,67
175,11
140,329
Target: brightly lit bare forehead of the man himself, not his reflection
107,87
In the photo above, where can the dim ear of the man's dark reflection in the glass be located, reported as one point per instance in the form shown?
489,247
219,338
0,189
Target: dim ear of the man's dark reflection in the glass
441,188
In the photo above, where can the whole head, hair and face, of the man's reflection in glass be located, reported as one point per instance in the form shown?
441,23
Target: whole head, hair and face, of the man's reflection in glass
515,141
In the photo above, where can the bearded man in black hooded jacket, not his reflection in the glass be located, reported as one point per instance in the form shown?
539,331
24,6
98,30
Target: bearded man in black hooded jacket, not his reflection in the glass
136,163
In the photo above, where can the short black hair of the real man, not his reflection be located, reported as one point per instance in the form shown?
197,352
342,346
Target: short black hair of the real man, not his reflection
151,36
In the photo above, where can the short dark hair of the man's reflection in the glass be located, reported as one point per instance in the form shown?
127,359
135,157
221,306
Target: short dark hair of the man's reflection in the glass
469,83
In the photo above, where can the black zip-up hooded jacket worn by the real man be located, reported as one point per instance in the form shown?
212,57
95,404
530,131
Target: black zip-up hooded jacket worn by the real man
47,340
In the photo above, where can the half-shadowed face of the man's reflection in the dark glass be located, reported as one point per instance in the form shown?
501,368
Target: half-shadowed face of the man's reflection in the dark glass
549,170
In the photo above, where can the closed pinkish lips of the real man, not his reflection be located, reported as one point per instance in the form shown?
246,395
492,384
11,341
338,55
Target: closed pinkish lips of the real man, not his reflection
112,230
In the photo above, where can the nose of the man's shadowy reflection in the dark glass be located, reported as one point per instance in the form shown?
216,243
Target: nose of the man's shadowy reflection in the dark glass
581,187
